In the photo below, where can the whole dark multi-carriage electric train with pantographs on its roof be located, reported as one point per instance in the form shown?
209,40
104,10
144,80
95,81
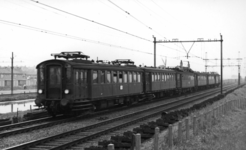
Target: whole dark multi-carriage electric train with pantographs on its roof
76,84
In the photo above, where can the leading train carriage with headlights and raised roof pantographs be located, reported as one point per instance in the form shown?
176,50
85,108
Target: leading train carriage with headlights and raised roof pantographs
80,84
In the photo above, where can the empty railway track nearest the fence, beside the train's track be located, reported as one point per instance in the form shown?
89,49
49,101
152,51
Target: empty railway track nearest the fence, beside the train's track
81,135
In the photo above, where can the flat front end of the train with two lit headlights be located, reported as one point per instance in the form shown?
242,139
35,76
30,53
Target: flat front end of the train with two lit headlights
53,86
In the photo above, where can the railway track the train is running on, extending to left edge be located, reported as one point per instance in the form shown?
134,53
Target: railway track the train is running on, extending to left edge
36,124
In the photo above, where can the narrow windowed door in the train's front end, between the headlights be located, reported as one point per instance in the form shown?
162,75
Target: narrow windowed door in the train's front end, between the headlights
54,82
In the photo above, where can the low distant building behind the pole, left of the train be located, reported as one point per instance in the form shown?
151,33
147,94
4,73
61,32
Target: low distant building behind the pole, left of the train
20,77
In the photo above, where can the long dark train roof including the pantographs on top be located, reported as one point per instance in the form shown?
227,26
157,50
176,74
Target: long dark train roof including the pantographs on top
77,58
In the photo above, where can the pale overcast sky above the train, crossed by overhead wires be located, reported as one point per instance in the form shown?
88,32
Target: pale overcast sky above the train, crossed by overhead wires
124,29
